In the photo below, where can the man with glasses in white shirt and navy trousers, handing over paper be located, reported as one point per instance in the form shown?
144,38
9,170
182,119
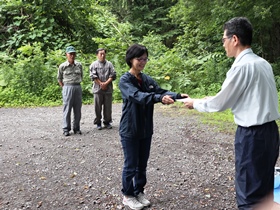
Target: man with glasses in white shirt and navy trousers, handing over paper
249,90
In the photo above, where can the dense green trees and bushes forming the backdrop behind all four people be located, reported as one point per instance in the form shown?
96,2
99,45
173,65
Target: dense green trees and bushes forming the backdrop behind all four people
183,38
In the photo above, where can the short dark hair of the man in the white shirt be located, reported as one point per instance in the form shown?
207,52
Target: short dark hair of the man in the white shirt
240,27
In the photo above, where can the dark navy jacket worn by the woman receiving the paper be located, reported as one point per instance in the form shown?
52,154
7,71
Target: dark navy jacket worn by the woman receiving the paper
138,105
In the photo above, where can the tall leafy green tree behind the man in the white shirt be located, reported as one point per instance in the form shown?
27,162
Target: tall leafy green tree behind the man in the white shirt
202,23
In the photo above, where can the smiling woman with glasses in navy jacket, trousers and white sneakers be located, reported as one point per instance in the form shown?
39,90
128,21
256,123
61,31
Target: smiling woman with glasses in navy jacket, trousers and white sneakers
139,93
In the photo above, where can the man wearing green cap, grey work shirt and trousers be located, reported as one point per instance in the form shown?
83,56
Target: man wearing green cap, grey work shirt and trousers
69,76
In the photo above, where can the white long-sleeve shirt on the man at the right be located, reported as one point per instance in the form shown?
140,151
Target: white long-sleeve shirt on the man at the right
249,90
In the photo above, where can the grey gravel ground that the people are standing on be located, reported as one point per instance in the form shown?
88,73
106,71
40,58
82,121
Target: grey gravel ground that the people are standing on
191,165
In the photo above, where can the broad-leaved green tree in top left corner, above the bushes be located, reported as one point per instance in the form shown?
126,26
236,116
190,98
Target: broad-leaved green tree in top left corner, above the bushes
55,23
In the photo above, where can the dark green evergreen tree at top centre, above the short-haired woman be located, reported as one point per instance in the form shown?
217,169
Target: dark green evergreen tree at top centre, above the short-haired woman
147,16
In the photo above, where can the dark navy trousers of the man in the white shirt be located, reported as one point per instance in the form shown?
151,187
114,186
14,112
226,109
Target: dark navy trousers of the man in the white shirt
256,153
